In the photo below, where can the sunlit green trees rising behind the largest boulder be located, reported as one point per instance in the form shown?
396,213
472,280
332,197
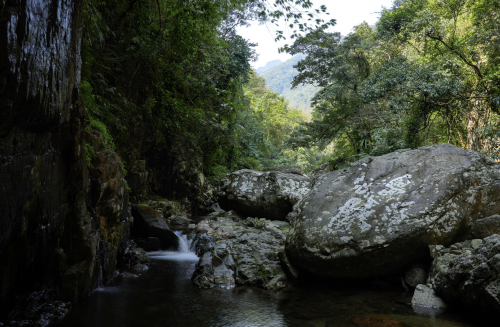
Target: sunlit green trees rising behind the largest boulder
427,73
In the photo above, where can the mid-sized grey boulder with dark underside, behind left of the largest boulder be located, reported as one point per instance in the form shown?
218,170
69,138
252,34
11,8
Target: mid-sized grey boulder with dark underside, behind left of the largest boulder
269,194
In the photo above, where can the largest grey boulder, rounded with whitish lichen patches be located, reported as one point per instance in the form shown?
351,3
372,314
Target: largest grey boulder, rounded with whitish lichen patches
383,212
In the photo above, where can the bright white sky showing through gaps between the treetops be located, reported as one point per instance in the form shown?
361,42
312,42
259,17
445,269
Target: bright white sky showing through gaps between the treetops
348,14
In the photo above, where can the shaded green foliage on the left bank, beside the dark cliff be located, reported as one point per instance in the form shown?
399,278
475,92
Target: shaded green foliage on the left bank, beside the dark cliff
166,79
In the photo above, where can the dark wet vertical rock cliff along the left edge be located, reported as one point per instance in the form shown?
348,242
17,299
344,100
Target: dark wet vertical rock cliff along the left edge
59,225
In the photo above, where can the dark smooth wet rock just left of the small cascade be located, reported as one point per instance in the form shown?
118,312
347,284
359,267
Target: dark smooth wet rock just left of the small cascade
149,223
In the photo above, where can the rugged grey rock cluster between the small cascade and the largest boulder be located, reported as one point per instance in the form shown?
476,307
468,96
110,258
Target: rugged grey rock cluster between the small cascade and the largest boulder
237,251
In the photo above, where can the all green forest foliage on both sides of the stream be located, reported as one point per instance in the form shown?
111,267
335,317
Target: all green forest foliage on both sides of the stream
172,79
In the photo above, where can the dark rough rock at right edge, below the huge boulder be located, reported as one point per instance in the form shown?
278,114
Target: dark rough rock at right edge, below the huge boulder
470,279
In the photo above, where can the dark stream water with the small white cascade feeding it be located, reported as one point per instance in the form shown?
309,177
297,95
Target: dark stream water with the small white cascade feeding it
164,296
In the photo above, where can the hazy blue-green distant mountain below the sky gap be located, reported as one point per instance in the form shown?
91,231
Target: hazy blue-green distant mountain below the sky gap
278,79
